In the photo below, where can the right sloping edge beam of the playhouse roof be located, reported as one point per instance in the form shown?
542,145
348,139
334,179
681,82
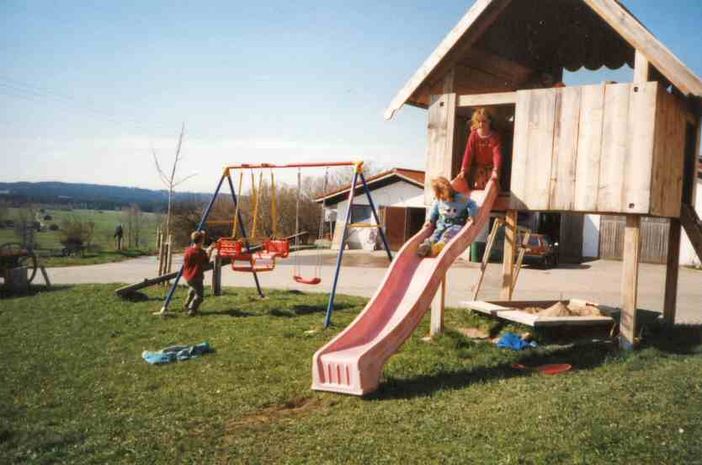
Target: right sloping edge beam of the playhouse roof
642,40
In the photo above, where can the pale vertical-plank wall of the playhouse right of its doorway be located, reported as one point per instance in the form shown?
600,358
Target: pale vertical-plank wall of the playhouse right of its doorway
591,148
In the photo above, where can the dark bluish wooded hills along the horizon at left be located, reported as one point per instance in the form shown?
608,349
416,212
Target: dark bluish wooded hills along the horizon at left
92,196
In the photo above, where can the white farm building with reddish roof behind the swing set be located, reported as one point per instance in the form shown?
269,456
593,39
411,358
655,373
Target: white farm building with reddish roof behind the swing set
398,194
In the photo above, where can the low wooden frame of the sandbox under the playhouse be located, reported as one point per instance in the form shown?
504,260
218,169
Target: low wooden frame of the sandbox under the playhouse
512,311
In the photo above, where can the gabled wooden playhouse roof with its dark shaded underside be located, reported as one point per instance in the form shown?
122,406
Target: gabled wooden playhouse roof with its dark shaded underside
501,45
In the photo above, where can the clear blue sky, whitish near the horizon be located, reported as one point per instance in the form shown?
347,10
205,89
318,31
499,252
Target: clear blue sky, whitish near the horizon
88,88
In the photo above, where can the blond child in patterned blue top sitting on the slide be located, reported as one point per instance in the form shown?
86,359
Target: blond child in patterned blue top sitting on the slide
448,214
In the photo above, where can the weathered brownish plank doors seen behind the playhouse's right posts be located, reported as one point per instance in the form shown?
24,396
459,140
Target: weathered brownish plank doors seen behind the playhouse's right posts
654,238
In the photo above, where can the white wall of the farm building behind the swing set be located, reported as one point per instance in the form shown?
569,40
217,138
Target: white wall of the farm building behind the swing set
399,194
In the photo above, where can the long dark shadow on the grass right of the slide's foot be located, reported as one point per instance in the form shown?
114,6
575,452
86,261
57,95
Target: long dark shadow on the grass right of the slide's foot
581,357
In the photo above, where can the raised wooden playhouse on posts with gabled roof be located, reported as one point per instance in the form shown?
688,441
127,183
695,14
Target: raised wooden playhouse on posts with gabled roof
612,148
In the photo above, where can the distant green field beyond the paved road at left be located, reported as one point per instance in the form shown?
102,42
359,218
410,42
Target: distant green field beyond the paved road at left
103,246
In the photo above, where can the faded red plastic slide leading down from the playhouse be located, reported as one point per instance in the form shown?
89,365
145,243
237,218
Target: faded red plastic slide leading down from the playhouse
353,361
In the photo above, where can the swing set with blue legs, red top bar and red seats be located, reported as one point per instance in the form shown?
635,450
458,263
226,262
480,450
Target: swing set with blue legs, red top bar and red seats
245,257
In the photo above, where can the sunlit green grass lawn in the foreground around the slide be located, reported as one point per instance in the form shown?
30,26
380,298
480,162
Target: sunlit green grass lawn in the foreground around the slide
75,390
